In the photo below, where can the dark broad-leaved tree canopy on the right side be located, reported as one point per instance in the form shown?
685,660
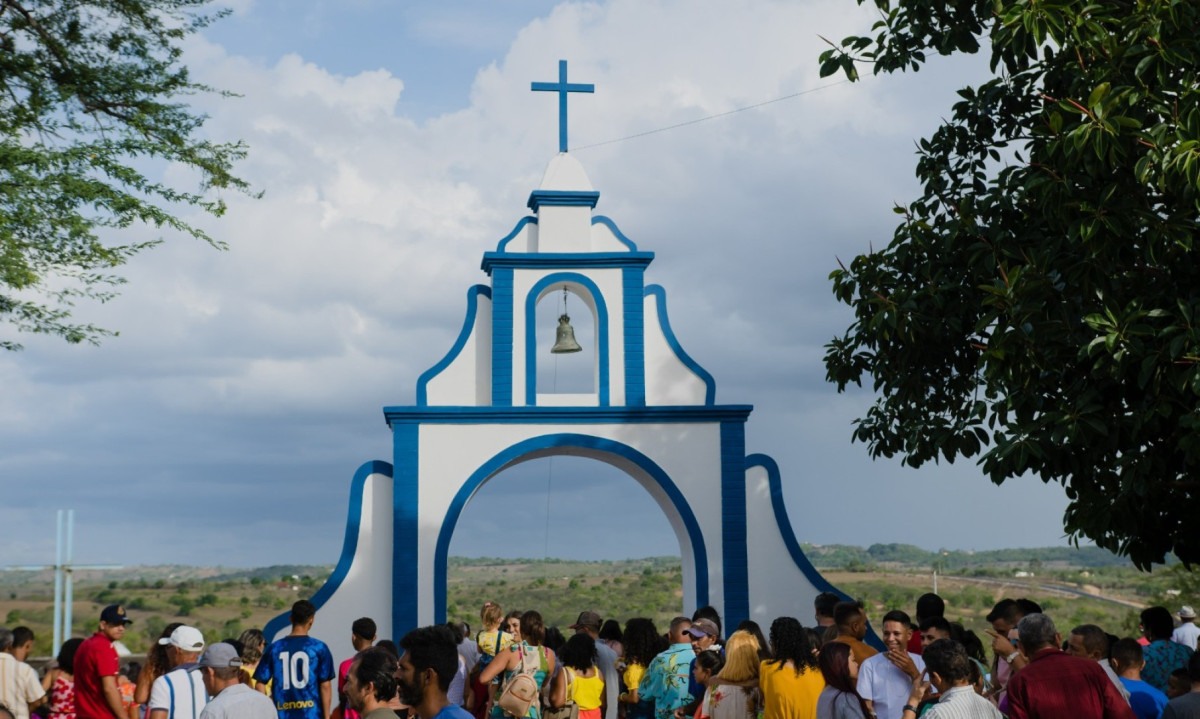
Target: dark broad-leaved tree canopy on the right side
1039,305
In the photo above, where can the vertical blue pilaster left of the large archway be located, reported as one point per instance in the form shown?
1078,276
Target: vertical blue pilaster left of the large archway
405,528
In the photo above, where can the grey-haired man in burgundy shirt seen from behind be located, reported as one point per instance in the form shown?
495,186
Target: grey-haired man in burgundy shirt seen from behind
1055,685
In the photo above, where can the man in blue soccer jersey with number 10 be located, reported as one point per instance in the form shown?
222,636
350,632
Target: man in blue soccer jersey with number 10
299,668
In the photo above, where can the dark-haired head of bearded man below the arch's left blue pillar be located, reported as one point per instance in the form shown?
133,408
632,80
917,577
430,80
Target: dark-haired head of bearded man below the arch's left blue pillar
424,674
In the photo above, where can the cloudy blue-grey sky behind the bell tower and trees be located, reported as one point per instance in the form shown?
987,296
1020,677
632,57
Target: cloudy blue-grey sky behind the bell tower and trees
395,143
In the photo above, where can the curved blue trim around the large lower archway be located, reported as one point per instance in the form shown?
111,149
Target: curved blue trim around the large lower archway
533,445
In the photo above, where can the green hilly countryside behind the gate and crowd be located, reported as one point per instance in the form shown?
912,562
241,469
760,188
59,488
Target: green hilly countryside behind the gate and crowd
1075,586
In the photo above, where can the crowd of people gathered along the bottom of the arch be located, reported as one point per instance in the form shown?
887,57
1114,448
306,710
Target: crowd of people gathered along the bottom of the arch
517,668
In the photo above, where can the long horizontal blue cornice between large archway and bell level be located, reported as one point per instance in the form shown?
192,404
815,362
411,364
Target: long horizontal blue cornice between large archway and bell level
567,416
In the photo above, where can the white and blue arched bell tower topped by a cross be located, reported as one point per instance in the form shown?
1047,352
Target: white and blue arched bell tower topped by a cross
652,414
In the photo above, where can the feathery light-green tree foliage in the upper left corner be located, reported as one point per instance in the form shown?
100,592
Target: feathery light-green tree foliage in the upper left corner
91,93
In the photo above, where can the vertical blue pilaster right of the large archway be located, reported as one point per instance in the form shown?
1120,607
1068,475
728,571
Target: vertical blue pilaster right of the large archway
735,554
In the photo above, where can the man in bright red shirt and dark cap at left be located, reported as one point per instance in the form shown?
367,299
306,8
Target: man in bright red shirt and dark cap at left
98,696
